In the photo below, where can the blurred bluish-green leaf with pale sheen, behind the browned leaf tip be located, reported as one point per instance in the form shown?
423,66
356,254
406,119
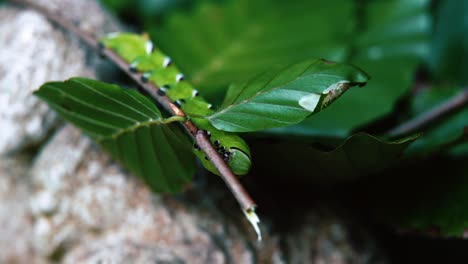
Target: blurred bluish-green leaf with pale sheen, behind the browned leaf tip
389,49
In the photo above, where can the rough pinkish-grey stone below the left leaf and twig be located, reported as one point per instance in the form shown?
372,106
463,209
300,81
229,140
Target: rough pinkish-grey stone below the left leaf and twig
81,197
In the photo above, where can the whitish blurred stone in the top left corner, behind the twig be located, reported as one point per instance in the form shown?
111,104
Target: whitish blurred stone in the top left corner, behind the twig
34,52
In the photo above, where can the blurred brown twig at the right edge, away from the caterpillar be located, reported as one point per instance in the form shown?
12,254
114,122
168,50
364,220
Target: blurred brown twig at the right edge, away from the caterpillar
434,115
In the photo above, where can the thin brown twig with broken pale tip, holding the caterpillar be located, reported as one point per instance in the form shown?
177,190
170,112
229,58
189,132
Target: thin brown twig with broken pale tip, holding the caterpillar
241,195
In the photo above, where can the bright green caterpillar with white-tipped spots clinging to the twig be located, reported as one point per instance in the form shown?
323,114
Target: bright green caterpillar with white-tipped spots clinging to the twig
158,68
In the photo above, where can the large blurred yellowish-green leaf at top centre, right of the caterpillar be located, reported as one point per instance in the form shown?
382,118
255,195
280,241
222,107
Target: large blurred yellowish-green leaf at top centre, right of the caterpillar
220,44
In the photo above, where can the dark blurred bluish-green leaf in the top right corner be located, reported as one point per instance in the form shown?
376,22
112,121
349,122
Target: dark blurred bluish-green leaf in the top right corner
449,54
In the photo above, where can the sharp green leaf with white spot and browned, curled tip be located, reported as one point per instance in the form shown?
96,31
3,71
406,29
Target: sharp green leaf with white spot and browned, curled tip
285,96
